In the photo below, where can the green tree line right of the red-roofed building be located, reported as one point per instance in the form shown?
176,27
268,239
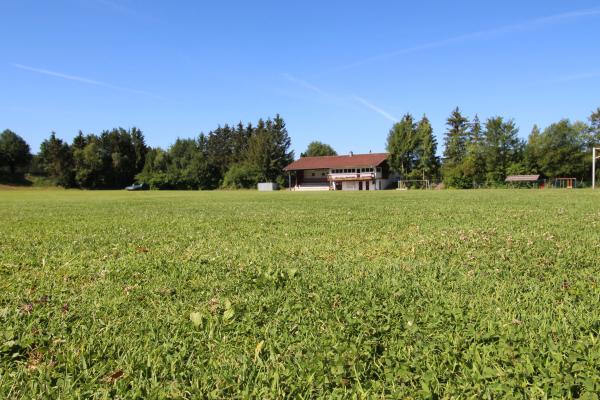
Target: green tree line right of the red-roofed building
480,154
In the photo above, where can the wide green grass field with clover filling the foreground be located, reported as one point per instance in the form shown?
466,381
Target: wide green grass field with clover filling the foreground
268,295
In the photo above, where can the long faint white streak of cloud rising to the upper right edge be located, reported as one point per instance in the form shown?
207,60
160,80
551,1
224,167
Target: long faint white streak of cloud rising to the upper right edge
530,24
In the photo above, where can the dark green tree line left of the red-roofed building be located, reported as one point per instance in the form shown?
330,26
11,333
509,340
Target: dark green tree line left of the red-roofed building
227,157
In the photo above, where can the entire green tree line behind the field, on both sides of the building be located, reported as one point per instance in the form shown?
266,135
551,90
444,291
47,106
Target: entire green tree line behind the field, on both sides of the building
475,154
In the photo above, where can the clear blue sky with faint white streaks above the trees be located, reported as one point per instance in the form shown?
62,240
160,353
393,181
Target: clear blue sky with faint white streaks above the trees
337,71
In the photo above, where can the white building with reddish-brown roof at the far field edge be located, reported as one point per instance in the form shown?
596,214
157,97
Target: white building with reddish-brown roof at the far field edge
349,172
